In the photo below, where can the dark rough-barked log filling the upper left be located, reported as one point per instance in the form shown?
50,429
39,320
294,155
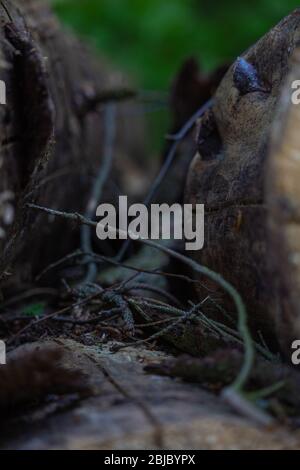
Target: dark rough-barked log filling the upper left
51,133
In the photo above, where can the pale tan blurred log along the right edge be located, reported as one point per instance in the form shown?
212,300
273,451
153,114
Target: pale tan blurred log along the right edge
283,197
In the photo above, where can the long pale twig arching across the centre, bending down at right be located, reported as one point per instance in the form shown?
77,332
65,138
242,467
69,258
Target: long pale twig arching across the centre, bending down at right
203,270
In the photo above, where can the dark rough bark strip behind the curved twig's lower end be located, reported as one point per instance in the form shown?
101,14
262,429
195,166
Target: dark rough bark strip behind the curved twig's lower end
219,369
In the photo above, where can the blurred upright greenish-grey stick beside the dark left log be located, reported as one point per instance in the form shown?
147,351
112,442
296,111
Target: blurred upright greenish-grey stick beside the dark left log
104,171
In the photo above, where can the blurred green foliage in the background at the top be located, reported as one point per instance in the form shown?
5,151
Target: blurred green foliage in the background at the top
151,38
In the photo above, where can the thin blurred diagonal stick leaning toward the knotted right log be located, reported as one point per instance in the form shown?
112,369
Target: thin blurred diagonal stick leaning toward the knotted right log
167,164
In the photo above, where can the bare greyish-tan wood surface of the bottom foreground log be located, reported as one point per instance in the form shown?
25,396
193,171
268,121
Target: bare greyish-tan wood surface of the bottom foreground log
131,410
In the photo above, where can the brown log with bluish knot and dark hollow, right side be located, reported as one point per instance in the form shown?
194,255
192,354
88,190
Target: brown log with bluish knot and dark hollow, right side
229,174
